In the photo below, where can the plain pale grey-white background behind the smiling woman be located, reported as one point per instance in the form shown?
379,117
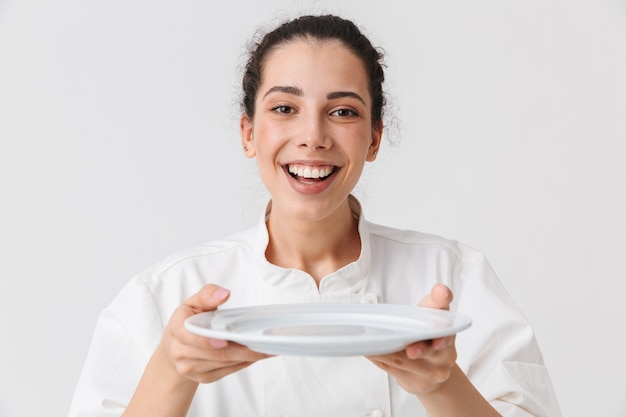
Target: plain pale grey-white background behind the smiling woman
119,146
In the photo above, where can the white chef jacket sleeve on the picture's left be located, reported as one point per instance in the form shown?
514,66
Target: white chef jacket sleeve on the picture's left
126,334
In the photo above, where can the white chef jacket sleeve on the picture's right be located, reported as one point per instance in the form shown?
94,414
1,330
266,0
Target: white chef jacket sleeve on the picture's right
499,352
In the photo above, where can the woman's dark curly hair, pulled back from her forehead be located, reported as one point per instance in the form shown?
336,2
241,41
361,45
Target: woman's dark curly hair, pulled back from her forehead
325,27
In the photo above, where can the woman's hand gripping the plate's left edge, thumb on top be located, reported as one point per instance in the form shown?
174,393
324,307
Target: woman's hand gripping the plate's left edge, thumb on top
199,358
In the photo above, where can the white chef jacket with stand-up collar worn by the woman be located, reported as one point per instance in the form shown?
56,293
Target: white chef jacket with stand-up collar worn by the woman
498,352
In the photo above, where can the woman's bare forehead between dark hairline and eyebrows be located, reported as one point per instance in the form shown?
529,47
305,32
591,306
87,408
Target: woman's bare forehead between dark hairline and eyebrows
302,61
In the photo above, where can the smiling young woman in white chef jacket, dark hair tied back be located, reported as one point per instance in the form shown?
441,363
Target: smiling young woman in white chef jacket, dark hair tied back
312,117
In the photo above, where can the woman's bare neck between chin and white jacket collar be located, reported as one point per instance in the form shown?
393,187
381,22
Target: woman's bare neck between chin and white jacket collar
317,247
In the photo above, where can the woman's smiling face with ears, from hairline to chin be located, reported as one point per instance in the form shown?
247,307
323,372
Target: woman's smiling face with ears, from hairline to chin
312,131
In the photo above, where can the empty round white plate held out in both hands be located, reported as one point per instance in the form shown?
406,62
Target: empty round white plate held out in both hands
327,329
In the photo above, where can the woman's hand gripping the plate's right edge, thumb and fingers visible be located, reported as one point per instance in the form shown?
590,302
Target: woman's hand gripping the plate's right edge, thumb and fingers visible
423,366
